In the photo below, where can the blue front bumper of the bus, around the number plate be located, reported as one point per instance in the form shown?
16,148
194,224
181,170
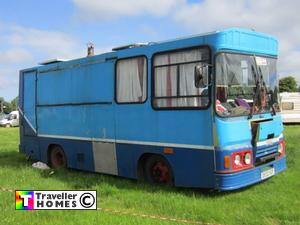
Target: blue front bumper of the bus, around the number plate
232,181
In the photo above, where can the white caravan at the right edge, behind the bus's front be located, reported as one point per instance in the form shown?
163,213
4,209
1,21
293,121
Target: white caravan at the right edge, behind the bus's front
290,107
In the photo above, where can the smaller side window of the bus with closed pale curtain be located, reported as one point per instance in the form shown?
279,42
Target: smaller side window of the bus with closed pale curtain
131,80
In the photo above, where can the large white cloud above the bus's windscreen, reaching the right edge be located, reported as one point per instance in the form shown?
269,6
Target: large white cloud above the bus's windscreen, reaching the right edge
281,19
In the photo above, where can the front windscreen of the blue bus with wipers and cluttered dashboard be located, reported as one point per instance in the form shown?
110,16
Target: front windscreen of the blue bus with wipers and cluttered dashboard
245,85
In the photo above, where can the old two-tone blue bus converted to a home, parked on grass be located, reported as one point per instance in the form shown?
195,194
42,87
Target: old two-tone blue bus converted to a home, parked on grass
200,111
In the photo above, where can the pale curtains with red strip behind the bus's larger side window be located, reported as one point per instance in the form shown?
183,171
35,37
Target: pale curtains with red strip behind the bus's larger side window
167,79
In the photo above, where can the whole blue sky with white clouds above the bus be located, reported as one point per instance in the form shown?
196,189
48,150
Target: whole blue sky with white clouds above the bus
33,31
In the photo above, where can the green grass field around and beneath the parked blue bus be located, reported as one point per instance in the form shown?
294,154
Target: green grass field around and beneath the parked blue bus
276,201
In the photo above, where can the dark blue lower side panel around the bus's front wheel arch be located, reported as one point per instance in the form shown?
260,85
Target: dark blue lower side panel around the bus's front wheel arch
191,168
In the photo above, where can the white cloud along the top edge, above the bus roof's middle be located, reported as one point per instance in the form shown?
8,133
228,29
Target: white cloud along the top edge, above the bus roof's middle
113,9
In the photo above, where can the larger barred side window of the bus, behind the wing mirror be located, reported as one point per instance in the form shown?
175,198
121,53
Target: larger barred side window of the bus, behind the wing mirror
174,79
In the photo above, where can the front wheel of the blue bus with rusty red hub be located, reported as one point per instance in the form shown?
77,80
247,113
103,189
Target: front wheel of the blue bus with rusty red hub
157,170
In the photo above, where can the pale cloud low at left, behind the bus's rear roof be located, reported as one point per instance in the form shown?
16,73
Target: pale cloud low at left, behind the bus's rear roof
23,47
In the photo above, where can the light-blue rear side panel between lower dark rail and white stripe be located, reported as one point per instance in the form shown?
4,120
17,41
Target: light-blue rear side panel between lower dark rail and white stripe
90,121
